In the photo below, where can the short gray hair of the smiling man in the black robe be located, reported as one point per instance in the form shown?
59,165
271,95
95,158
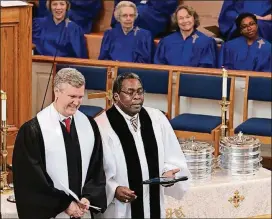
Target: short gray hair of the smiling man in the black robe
69,76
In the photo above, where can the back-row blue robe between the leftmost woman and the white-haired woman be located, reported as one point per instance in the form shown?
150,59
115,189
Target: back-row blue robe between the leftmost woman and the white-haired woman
83,13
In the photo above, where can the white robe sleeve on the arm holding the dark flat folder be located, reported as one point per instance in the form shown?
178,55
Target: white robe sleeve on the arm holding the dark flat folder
174,158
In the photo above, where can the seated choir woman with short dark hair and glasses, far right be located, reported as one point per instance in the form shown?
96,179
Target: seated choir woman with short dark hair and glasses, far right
249,51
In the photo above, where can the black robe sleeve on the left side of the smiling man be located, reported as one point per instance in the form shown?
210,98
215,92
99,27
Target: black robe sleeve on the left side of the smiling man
34,190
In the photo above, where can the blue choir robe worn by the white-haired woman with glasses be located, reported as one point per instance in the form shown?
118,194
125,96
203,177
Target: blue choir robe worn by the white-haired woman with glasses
136,46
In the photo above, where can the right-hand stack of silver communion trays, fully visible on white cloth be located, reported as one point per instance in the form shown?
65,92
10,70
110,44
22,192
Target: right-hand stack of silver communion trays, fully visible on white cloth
240,155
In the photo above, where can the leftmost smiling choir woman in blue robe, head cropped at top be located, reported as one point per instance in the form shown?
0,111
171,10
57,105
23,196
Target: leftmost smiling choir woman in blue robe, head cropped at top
56,35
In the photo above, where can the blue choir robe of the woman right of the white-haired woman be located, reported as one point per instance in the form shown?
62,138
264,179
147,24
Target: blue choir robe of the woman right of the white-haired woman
197,50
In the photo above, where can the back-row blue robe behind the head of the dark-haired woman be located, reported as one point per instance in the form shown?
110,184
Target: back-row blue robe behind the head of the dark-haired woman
232,8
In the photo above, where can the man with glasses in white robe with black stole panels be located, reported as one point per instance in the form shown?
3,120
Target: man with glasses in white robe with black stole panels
138,144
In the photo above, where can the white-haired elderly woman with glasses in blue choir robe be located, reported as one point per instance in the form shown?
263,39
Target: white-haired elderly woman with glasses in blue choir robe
126,42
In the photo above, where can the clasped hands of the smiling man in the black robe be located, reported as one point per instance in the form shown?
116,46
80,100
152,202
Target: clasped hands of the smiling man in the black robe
78,210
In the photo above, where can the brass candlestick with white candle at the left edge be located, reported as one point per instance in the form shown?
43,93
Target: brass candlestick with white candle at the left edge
4,153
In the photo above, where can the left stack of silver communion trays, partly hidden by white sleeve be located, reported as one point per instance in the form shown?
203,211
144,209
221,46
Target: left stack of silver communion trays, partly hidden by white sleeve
199,158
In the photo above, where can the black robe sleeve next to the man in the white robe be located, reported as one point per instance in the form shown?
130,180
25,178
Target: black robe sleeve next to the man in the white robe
95,184
